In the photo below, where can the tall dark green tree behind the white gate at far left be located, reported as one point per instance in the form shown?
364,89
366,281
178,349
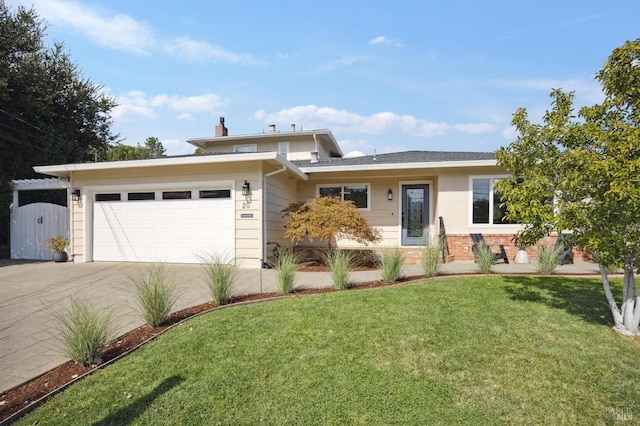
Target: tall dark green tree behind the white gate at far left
49,113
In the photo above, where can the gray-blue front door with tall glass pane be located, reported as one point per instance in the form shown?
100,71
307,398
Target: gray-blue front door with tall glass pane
415,214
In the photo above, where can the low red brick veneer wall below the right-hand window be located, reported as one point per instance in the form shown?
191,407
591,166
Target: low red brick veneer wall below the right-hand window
460,246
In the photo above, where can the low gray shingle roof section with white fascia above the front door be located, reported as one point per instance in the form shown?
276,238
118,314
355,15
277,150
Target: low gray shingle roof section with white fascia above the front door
400,160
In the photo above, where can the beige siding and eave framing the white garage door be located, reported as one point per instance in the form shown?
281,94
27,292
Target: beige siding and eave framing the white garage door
248,230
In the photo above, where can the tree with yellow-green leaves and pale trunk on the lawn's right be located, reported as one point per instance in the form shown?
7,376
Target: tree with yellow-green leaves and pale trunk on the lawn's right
582,174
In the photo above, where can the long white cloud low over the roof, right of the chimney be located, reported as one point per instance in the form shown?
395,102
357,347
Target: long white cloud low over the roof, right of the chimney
383,122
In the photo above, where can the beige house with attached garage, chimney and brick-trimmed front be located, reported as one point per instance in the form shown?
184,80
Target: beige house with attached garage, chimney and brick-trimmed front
230,200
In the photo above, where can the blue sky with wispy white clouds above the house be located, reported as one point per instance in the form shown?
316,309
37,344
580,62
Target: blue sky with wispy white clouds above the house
382,75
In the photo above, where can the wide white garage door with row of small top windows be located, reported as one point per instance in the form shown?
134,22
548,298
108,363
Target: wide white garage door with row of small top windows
163,226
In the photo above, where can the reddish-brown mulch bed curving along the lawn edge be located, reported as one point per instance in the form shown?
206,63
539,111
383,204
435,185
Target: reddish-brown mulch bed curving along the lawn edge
25,396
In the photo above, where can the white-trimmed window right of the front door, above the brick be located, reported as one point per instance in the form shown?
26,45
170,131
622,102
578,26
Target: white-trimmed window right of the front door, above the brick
485,202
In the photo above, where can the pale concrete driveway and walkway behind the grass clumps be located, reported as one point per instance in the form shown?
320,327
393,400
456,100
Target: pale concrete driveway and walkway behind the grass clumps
31,291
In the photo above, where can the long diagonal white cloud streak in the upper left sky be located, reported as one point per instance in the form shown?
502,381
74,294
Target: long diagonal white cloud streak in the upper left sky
123,32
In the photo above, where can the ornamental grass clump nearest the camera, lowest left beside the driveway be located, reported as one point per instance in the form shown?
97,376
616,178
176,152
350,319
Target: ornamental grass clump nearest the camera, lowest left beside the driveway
84,332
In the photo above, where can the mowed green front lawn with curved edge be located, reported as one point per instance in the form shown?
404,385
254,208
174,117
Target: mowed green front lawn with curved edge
479,350
